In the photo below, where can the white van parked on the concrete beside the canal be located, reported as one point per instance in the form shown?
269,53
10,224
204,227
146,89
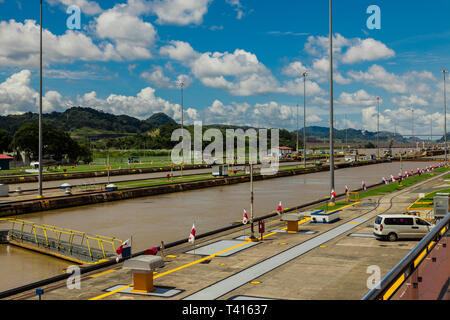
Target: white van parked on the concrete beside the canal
400,226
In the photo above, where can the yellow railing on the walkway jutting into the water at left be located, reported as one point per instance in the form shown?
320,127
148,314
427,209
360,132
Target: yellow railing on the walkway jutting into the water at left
73,236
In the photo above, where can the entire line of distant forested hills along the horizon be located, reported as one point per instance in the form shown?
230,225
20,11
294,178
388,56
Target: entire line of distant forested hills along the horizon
96,124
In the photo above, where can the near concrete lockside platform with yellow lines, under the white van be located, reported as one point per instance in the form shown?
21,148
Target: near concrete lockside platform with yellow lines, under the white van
324,263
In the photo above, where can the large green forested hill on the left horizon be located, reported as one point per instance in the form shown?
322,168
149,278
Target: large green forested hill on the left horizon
84,122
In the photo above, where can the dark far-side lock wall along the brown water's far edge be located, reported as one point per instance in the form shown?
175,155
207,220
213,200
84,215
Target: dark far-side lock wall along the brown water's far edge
28,206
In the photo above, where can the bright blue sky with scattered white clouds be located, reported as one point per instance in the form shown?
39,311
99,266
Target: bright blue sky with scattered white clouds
241,60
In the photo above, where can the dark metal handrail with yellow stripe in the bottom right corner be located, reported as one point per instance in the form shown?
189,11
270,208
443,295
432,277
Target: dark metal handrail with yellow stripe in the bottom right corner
400,273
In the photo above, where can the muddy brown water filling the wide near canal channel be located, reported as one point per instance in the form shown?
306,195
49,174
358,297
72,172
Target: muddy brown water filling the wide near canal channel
170,217
